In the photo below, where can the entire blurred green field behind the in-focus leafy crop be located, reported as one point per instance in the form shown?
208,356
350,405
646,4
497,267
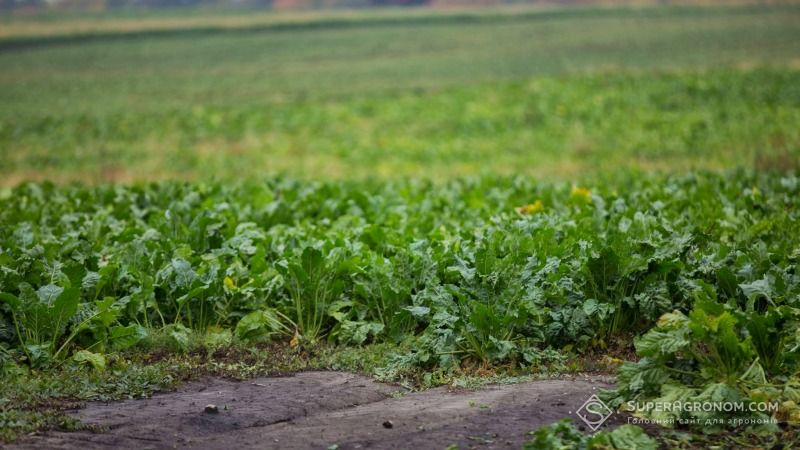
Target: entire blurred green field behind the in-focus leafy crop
430,94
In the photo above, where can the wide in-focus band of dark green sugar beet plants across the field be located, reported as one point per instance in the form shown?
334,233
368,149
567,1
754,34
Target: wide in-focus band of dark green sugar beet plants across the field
489,270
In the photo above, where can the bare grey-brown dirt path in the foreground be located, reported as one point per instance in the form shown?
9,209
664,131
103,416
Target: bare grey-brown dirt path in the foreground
314,410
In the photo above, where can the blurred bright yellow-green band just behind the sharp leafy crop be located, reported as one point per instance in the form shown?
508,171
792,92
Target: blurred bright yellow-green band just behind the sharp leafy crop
546,127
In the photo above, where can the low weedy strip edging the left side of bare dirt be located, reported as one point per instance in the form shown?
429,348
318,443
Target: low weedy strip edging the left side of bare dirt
36,400
